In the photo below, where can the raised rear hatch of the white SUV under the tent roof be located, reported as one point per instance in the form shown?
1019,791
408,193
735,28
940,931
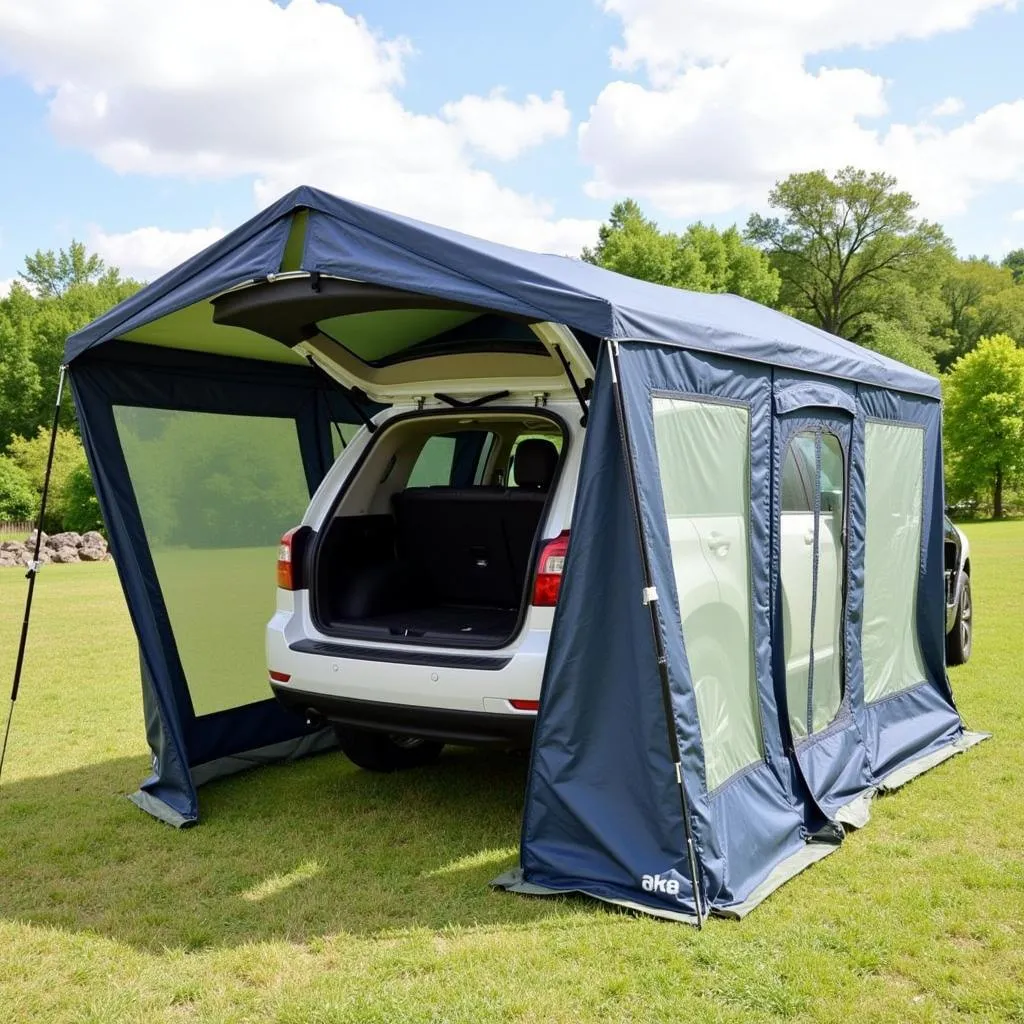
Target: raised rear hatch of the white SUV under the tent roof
402,348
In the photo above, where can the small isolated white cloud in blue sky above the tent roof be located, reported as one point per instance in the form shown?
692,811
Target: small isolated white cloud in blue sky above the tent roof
501,129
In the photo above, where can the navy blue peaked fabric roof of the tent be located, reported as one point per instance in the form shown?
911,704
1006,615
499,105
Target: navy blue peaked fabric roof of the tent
310,231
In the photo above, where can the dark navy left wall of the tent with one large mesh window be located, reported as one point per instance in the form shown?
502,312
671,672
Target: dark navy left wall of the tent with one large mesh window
191,744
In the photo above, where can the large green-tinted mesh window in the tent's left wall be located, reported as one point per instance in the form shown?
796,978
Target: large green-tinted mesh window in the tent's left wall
216,494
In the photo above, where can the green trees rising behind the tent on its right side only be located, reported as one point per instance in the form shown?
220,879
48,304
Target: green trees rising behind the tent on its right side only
847,253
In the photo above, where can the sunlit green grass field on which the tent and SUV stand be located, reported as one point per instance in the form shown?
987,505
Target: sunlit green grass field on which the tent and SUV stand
315,893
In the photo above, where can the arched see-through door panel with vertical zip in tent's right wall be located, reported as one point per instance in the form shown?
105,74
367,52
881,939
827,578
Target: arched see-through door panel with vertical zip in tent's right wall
814,517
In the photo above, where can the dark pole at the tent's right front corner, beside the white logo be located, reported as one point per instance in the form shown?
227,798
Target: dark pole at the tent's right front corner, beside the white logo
651,600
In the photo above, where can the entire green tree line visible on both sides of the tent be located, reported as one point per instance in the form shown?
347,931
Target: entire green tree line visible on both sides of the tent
845,252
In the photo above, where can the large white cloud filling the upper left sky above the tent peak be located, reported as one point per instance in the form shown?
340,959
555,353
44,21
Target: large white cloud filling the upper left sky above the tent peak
304,94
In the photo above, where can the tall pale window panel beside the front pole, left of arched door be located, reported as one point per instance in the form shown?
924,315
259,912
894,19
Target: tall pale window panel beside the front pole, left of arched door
704,463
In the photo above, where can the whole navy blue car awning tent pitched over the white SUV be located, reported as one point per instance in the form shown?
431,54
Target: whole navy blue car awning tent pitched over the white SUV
679,764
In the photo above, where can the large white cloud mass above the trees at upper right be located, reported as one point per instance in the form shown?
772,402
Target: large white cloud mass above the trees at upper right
709,138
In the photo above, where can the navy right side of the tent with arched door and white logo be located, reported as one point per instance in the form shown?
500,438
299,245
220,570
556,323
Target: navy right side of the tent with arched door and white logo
775,808
